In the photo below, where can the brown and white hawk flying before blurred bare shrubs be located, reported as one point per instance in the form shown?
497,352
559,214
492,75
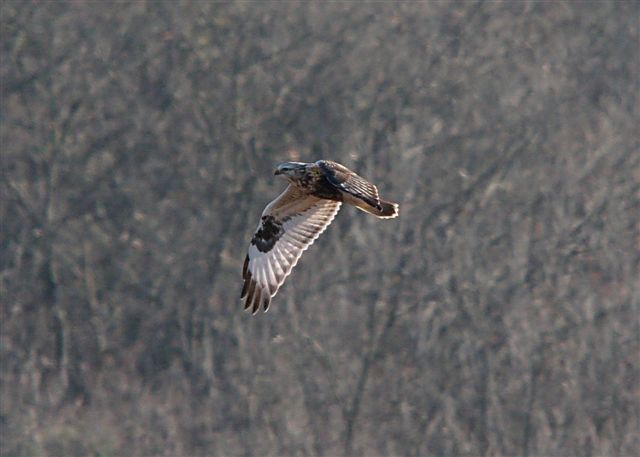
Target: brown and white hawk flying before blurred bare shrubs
293,221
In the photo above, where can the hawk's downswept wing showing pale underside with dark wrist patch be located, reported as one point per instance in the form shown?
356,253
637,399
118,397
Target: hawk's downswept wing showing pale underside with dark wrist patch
288,226
